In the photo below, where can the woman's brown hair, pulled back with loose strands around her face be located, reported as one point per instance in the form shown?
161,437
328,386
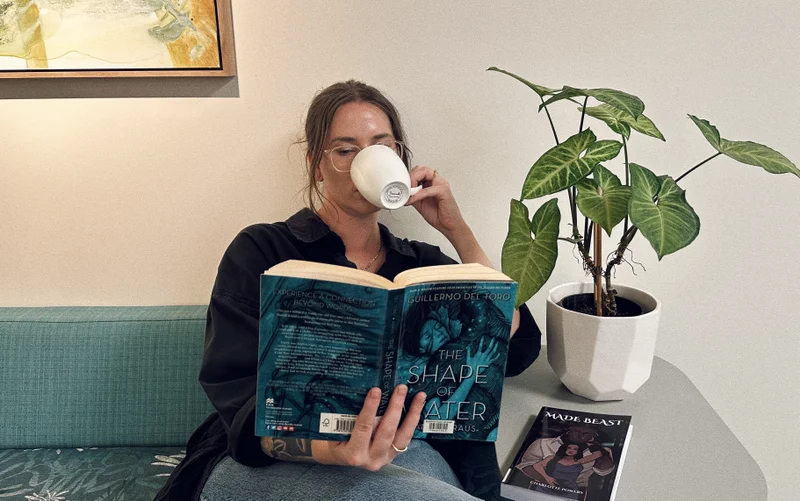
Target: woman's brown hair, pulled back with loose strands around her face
320,116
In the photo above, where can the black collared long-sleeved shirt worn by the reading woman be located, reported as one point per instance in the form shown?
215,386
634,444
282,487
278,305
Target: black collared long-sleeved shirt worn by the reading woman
228,371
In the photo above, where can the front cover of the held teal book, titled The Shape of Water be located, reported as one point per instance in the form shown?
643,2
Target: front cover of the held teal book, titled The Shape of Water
453,346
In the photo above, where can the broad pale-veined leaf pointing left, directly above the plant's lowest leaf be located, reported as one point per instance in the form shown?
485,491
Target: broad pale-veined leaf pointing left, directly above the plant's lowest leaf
562,166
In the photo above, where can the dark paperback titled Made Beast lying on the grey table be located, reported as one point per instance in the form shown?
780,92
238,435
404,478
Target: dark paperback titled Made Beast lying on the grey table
569,454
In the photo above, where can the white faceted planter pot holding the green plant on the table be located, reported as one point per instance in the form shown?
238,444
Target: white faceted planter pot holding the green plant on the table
601,358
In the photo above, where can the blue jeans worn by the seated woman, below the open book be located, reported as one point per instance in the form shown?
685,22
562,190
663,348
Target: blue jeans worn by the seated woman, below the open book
419,473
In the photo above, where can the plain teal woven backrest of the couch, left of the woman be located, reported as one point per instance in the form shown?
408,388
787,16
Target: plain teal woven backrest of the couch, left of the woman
107,376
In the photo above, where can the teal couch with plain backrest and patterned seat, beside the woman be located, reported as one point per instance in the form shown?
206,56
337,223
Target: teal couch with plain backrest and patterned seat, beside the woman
97,403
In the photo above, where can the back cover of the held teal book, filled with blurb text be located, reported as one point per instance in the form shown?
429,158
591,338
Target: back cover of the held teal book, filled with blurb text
320,351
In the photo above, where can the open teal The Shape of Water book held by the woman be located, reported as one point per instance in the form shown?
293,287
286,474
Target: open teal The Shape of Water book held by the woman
328,334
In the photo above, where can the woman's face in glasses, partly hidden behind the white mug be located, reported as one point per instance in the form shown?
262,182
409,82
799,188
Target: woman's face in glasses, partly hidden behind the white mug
354,124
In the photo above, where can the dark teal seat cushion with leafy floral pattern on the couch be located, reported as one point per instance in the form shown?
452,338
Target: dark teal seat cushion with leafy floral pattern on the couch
86,474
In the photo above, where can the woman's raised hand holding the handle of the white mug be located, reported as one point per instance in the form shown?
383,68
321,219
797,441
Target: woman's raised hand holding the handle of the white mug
435,201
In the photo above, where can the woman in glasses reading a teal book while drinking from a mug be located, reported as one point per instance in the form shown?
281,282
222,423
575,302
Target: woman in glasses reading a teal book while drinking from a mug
224,458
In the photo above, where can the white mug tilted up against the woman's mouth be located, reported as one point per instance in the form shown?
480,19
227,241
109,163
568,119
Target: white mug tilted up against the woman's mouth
381,177
